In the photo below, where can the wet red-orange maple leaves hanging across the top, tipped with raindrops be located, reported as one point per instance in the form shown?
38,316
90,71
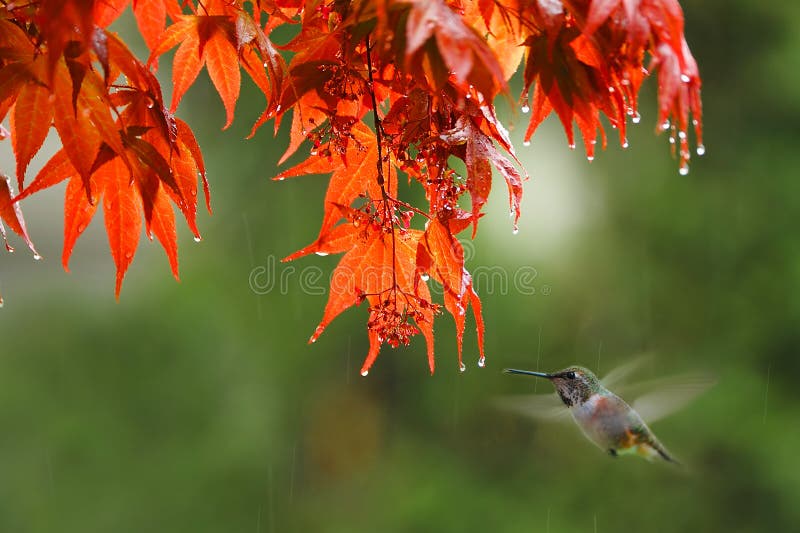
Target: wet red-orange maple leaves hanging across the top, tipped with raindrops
381,90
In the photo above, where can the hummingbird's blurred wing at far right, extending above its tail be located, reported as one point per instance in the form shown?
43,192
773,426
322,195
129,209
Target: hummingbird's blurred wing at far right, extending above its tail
669,395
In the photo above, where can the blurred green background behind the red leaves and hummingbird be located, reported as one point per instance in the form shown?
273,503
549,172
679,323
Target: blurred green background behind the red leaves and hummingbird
198,406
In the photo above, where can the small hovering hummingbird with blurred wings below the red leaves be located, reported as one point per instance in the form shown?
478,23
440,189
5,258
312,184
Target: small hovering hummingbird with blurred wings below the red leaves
605,418
